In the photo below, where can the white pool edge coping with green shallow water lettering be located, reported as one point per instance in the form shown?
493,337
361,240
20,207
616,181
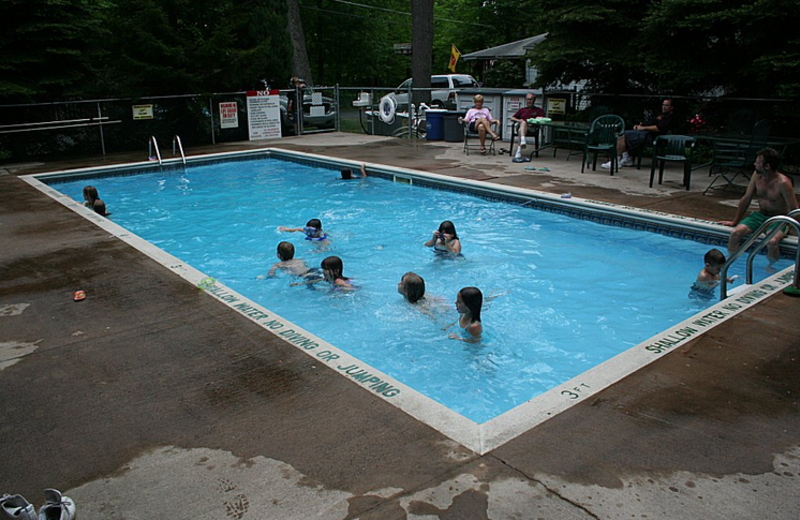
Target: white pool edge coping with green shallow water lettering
480,438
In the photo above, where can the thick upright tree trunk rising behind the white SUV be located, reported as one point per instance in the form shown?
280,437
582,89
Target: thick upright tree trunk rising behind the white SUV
421,48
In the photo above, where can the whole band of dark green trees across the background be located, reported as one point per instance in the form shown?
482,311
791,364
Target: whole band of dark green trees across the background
58,49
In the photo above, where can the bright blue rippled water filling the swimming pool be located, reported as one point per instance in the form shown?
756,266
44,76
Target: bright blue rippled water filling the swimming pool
577,293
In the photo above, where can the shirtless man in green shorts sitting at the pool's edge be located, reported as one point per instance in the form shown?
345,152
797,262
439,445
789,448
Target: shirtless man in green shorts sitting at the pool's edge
775,195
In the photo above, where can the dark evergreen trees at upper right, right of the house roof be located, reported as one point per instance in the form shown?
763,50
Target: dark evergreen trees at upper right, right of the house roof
743,47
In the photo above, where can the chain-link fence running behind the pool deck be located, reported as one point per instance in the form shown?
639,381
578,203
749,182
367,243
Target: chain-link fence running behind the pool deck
106,126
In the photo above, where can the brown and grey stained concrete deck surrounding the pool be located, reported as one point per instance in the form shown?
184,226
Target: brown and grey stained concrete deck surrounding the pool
152,400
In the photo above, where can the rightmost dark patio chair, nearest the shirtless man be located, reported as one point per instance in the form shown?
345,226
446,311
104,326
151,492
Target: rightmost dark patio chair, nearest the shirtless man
734,157
